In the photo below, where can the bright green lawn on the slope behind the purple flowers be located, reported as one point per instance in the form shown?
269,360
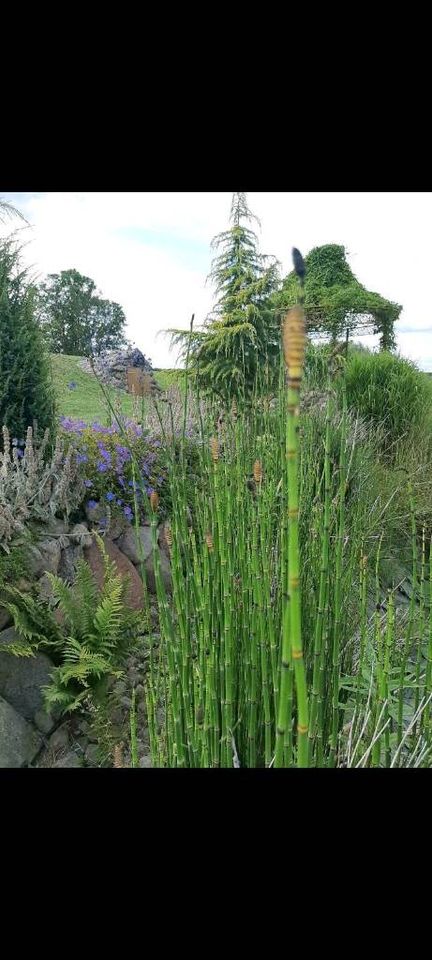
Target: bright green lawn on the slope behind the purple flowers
86,401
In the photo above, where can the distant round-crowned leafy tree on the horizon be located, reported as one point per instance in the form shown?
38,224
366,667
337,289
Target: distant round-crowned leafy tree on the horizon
75,319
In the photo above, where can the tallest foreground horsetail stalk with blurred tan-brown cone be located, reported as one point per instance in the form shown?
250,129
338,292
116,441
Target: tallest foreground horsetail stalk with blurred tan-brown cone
293,346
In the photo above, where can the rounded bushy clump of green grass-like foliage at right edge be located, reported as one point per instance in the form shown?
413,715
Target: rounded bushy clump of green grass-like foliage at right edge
389,390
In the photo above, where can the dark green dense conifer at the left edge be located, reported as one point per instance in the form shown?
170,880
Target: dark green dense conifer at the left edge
26,389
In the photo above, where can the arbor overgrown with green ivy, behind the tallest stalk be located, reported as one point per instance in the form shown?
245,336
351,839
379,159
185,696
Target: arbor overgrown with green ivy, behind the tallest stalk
335,302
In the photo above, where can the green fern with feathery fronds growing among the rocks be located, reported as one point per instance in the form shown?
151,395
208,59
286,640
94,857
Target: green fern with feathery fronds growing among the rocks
90,642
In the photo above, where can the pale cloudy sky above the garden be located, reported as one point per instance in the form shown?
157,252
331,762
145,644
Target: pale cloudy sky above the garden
151,252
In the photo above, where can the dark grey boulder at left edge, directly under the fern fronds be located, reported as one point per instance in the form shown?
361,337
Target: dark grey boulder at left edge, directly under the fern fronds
21,678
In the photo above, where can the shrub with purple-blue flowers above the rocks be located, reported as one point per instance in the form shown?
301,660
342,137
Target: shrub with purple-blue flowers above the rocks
105,457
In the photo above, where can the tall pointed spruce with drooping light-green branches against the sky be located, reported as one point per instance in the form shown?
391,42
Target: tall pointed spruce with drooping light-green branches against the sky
239,344
